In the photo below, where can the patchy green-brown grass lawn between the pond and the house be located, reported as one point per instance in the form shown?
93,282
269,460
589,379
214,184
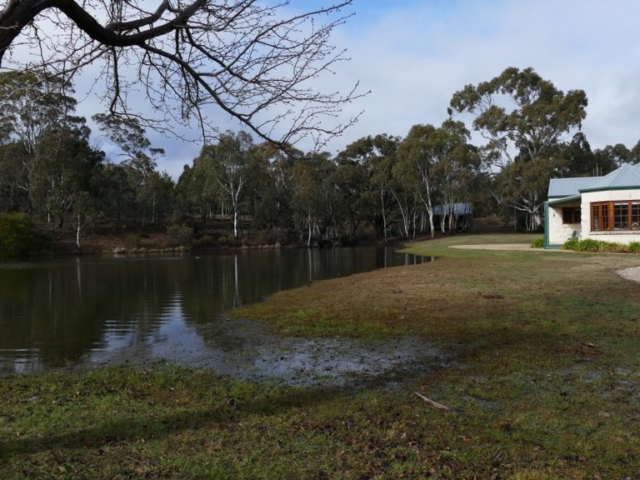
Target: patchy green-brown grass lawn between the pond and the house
545,384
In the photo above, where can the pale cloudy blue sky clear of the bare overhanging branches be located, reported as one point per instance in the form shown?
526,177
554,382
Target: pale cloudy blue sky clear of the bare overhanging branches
413,55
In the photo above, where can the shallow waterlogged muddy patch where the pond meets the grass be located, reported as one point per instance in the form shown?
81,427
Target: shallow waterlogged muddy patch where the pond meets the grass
248,350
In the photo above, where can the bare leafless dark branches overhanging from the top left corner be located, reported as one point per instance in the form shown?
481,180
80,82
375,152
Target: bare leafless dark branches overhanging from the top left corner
256,61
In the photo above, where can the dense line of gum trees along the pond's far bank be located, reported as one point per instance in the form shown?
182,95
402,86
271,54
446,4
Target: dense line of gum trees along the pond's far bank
390,186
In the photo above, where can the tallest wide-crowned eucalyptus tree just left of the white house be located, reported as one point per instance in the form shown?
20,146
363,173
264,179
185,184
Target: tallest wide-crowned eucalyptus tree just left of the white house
524,118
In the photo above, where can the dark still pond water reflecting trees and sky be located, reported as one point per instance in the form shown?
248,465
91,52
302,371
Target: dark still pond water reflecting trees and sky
77,311
